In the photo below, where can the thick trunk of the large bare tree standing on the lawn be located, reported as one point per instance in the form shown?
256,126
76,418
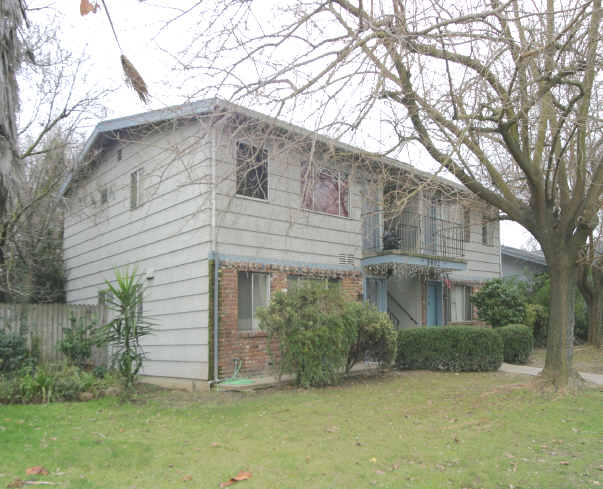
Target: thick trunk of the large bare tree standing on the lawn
560,338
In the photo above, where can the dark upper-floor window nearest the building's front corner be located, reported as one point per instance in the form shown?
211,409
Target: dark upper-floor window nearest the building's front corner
252,171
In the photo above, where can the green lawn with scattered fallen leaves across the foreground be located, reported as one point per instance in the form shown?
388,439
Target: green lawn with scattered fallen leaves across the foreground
406,430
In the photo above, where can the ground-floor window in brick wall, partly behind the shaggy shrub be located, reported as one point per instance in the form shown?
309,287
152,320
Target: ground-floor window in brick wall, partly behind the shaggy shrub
254,292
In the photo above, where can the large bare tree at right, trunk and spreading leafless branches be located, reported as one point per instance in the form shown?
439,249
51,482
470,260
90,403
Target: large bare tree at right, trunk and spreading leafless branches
503,95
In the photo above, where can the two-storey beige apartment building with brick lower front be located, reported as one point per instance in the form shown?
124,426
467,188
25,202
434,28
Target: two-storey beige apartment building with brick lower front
210,186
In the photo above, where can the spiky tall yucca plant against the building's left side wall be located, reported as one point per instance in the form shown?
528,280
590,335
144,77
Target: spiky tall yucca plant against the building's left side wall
124,331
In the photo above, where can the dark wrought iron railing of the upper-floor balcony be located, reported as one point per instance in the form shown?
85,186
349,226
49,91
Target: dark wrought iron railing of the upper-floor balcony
417,234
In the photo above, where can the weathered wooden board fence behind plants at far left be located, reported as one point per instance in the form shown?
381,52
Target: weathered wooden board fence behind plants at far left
44,323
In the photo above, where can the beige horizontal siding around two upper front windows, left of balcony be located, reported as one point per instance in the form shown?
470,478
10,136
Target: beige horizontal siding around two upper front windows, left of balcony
278,228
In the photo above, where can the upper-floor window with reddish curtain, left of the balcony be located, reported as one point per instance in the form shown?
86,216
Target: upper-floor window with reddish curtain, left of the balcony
325,190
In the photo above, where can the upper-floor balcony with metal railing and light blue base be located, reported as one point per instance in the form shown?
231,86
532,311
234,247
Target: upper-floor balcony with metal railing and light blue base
422,240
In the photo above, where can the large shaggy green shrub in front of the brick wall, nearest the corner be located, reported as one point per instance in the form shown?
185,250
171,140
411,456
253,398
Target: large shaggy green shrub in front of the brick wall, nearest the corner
313,338
